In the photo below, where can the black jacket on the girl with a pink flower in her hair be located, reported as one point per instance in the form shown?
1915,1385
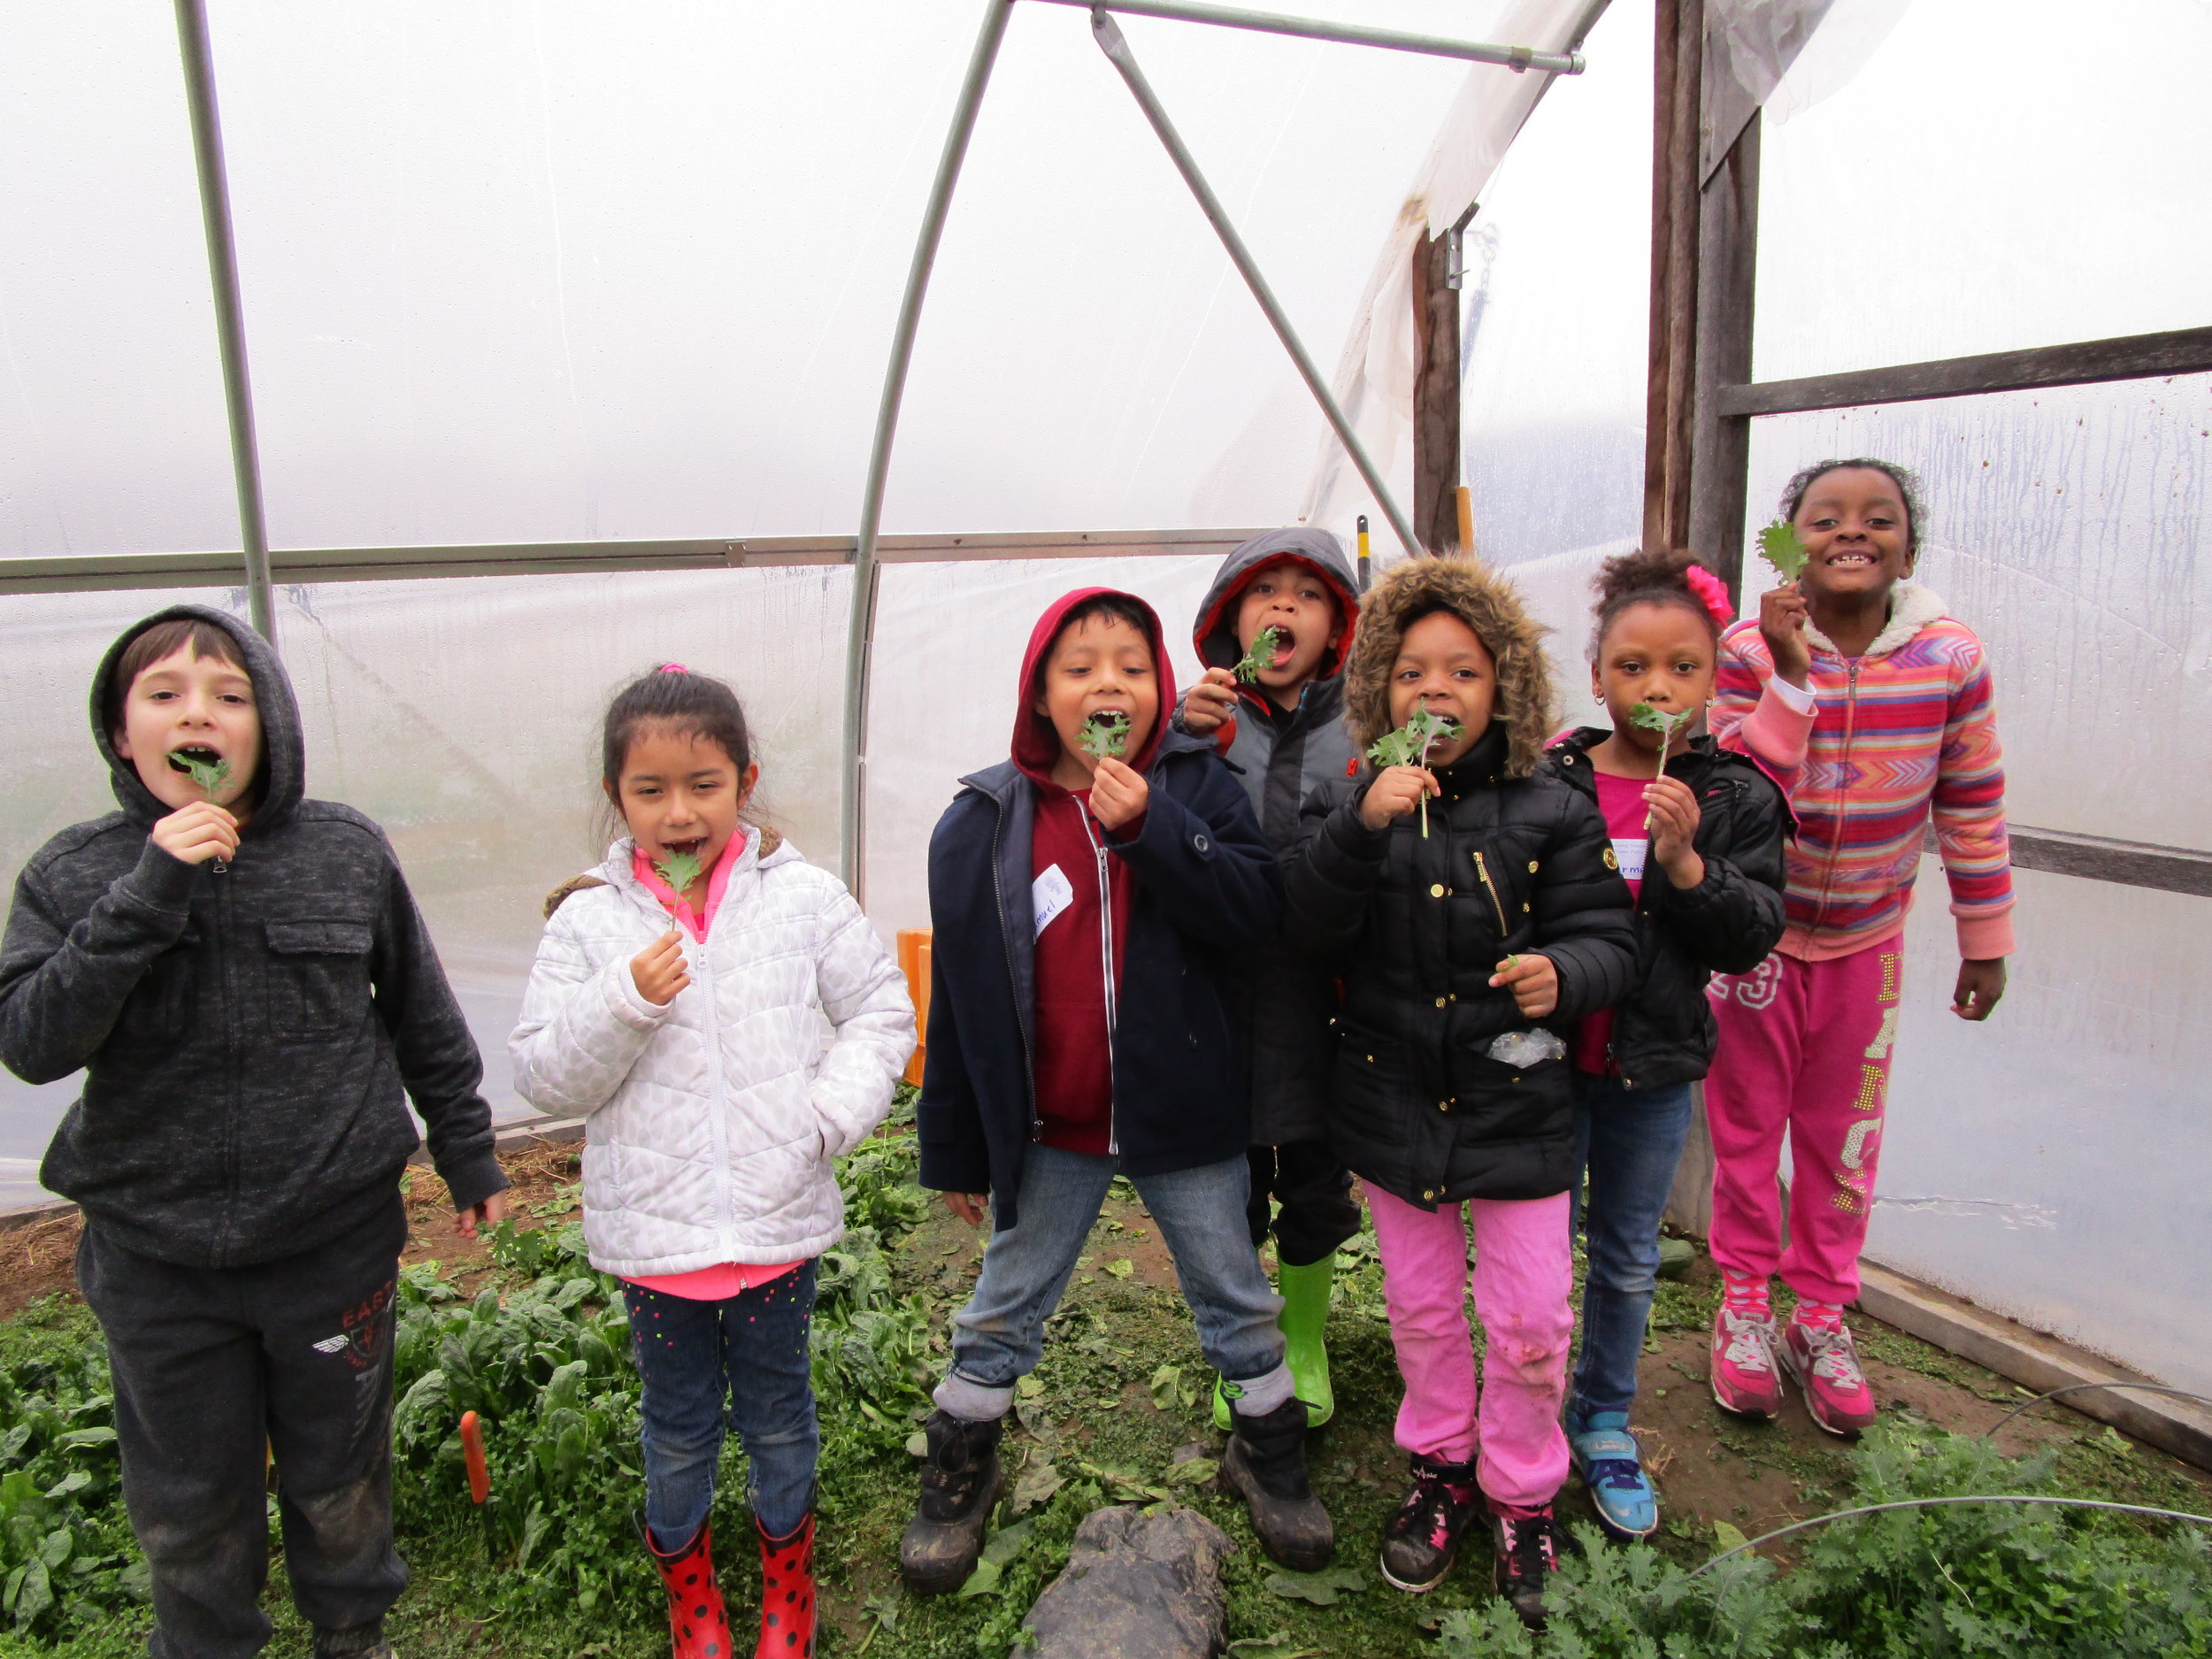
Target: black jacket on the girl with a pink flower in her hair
1729,924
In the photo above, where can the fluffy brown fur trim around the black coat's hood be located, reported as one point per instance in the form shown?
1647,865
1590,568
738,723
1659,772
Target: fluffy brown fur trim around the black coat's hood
1485,603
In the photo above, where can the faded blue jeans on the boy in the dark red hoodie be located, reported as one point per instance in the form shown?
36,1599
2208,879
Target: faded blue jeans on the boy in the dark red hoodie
999,1337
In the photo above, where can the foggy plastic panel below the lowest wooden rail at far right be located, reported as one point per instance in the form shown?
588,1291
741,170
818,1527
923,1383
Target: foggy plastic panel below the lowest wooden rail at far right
2052,1165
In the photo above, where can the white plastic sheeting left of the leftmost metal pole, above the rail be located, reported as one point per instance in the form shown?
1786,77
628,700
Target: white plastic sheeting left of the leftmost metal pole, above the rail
112,397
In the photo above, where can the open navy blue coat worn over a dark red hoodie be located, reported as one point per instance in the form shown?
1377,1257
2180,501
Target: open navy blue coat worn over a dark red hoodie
1207,895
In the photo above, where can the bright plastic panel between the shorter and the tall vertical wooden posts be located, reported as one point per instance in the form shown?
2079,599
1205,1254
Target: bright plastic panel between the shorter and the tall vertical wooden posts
1556,317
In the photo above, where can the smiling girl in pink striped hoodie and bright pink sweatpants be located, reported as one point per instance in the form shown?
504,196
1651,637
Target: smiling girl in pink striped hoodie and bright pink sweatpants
1877,709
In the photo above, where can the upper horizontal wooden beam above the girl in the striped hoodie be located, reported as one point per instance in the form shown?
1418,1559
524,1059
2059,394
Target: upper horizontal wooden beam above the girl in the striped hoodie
2129,357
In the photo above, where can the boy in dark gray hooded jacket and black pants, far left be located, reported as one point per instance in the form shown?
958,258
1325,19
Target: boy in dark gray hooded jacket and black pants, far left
251,994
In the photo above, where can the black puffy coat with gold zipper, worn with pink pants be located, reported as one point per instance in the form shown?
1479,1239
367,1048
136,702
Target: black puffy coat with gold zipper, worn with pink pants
1417,930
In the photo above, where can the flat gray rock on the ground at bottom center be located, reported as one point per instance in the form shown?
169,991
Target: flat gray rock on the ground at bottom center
1136,1587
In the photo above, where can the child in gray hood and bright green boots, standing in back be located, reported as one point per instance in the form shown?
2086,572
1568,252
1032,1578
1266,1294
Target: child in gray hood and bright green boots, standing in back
1275,702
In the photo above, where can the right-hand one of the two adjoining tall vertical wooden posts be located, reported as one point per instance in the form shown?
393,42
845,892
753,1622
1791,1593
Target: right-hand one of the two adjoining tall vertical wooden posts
1722,441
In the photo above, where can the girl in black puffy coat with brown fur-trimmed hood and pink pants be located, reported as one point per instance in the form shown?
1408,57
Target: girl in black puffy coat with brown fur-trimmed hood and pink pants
1474,912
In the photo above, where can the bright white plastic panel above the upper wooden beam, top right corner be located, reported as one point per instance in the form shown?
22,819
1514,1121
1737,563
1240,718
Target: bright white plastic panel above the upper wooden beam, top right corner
1996,176
